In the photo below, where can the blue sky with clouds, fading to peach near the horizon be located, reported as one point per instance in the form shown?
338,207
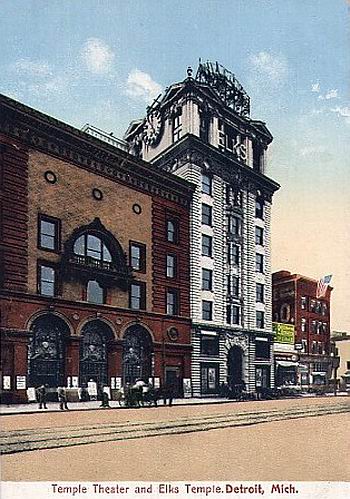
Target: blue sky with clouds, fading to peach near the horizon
102,62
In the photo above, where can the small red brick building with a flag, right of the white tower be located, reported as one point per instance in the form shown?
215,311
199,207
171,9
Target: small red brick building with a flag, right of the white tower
295,303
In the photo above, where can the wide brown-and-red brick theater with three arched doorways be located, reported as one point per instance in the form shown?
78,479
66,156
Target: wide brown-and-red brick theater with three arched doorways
94,260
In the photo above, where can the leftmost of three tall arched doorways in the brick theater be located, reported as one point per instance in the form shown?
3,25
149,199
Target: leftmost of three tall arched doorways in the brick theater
46,353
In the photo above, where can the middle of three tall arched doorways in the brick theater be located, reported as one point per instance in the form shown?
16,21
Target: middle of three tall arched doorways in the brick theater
93,363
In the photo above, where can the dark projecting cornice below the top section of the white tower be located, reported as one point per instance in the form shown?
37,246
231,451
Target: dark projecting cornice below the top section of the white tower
190,149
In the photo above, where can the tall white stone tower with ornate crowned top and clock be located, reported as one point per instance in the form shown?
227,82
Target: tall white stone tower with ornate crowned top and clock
202,131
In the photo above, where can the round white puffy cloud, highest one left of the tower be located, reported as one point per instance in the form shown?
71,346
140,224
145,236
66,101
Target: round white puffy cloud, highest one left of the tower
97,56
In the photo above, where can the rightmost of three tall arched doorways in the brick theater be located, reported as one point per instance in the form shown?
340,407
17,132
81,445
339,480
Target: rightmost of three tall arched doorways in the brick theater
137,354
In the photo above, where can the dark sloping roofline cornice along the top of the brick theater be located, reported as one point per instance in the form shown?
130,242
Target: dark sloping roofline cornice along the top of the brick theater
51,136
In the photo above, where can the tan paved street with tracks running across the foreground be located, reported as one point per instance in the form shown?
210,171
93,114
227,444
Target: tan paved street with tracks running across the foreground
302,439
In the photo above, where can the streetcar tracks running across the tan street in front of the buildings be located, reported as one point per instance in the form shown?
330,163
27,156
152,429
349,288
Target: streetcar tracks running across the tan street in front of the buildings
12,443
